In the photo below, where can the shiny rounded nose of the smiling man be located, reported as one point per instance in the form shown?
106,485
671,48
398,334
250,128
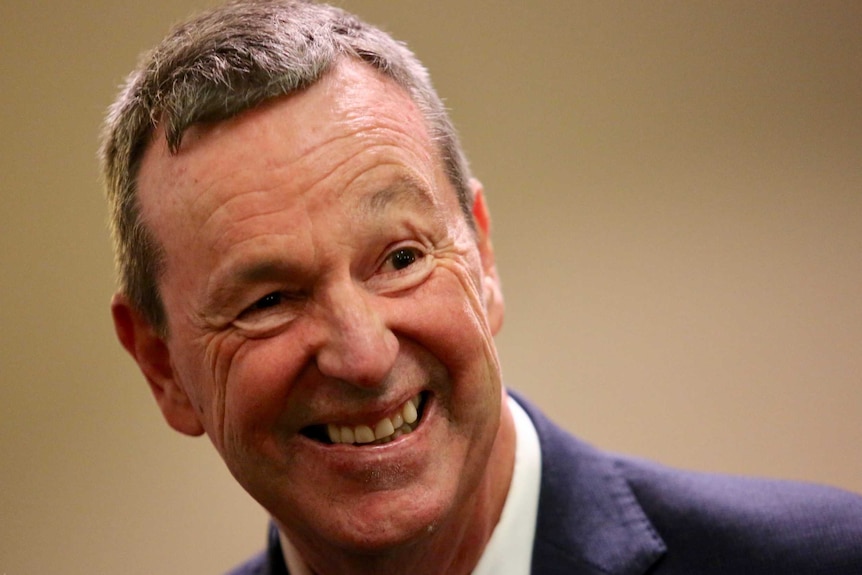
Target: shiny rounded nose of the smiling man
357,346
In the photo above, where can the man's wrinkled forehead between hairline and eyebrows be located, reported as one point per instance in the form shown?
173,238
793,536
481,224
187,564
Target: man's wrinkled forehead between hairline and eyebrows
353,110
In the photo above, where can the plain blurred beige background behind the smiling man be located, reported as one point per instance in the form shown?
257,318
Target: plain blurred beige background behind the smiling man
678,198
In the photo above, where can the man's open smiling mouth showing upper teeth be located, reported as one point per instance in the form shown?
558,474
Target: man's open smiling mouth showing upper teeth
400,422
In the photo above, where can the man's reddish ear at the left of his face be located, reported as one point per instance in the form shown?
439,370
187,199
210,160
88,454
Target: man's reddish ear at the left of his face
151,353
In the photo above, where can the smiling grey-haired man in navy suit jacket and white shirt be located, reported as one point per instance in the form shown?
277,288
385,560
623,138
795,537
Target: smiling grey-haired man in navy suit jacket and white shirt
307,277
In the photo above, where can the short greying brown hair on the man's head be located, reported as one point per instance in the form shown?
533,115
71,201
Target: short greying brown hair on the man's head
219,64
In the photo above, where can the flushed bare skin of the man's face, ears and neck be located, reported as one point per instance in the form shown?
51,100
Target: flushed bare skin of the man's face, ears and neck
319,270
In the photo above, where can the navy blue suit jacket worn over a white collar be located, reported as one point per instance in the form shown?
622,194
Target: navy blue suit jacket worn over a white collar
602,514
